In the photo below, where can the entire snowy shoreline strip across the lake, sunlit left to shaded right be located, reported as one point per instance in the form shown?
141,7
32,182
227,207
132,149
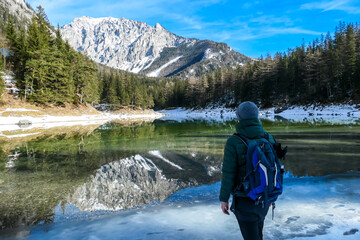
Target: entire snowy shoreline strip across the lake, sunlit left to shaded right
21,122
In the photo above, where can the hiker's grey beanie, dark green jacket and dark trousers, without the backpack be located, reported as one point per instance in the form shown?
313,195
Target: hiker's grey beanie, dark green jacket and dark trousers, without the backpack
249,216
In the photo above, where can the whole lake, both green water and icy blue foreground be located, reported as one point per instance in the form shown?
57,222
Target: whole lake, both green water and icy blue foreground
160,180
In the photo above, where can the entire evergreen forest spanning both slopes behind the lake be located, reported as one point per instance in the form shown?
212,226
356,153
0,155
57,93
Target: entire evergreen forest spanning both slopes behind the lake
49,71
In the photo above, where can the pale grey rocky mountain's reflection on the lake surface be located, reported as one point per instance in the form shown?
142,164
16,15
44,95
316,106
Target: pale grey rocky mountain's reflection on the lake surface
136,181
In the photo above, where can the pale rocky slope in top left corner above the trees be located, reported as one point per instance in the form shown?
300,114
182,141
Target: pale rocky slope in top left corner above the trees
18,8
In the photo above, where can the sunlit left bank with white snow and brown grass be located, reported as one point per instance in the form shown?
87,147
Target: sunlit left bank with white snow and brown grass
18,117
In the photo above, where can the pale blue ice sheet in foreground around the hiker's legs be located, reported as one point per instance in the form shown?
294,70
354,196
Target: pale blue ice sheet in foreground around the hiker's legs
319,208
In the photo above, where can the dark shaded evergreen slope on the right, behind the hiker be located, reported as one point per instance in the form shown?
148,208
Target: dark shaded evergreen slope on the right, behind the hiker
324,71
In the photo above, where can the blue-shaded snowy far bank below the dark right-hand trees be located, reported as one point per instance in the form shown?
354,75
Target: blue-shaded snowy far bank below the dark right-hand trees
344,113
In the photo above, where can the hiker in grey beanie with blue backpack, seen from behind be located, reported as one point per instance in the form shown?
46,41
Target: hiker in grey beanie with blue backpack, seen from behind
251,172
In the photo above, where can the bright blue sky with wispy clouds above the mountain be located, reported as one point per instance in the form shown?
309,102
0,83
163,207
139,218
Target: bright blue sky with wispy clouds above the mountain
253,28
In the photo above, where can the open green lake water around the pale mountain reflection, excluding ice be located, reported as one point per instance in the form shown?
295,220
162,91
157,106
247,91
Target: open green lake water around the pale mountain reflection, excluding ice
47,170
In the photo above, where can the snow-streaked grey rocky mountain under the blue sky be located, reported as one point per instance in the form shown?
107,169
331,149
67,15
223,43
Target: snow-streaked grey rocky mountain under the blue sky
137,47
